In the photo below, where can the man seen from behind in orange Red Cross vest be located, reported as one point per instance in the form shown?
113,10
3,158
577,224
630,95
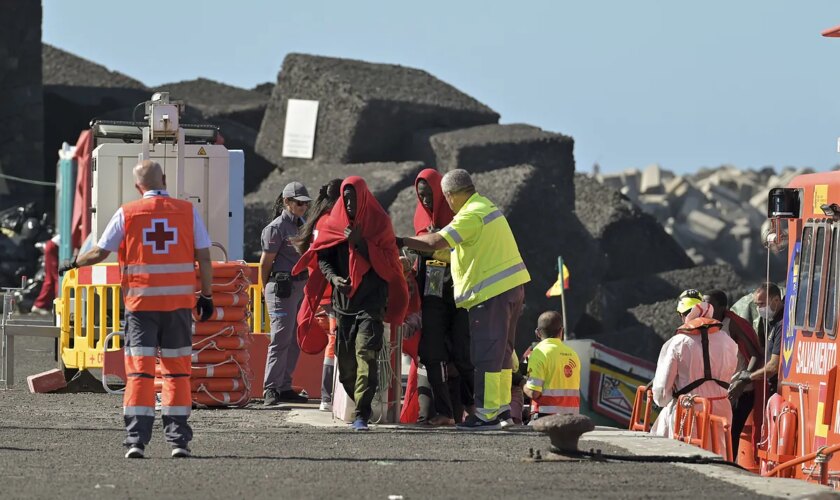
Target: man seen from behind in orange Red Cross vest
158,239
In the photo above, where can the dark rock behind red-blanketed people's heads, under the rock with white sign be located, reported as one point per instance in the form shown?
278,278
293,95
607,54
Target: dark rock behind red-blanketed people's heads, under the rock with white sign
384,180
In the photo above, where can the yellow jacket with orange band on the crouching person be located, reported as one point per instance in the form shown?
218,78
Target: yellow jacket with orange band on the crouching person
554,370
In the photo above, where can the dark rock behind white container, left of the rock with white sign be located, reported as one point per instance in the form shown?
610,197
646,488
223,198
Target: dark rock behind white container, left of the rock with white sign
217,100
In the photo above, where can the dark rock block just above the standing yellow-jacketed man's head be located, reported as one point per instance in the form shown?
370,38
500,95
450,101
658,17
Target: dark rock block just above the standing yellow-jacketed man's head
490,147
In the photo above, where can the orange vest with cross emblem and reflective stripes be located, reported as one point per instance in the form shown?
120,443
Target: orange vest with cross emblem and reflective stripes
157,255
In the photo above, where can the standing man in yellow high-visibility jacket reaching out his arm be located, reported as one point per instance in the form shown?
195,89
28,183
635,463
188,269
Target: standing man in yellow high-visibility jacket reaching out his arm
488,274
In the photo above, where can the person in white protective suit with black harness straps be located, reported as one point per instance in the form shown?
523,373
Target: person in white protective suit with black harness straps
699,359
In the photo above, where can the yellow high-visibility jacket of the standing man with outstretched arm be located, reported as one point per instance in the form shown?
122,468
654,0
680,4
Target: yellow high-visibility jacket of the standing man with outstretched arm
486,260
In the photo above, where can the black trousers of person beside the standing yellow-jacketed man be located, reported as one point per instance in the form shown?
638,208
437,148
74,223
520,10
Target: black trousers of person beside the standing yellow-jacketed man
445,352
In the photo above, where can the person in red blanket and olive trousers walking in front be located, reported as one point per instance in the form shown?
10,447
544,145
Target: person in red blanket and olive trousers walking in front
355,251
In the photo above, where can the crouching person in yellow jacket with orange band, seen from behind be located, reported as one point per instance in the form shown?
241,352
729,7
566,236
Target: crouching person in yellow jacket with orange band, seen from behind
553,377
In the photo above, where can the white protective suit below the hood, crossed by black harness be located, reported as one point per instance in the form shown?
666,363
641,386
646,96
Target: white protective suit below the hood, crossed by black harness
680,363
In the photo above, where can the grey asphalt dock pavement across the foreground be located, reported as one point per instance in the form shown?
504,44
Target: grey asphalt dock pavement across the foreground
69,445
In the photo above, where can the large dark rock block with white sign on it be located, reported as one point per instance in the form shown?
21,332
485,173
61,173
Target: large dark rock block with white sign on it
367,112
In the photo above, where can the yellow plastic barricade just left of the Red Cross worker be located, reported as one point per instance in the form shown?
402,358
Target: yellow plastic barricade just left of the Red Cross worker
87,314
